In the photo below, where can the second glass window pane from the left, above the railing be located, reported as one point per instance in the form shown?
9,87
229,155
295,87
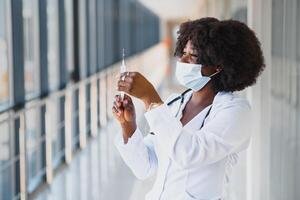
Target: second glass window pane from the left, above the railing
31,67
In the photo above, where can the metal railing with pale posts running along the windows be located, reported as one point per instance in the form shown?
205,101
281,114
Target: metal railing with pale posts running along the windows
31,130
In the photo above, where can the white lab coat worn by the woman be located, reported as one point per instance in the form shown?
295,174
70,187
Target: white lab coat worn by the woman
191,163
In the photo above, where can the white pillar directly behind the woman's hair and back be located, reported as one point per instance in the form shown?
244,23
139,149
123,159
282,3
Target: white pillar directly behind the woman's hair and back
259,19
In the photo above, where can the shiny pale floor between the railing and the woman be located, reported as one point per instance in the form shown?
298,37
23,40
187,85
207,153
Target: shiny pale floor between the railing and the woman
97,172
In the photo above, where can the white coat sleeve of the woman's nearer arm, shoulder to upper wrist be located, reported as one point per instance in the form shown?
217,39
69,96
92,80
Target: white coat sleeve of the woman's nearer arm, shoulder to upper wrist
226,132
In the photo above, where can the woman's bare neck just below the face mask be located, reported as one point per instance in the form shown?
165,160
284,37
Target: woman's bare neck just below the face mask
203,97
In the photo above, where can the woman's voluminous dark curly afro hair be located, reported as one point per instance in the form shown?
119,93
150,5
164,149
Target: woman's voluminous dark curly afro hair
228,44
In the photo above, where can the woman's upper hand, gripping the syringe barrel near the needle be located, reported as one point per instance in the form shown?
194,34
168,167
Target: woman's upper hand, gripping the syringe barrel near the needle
135,84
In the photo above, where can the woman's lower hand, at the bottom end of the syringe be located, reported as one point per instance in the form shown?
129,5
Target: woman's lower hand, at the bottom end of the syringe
124,112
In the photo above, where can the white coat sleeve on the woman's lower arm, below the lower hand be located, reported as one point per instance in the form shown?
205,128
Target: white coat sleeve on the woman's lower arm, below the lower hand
138,153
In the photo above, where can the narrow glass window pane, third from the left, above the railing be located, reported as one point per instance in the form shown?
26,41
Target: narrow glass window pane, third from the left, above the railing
53,43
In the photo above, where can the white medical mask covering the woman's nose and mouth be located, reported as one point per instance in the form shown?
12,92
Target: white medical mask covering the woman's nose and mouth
189,75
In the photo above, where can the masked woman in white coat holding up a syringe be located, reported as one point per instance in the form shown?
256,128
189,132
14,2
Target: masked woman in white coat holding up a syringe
196,136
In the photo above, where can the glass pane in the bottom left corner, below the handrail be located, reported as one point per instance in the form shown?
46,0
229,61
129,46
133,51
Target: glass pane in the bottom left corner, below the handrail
7,163
